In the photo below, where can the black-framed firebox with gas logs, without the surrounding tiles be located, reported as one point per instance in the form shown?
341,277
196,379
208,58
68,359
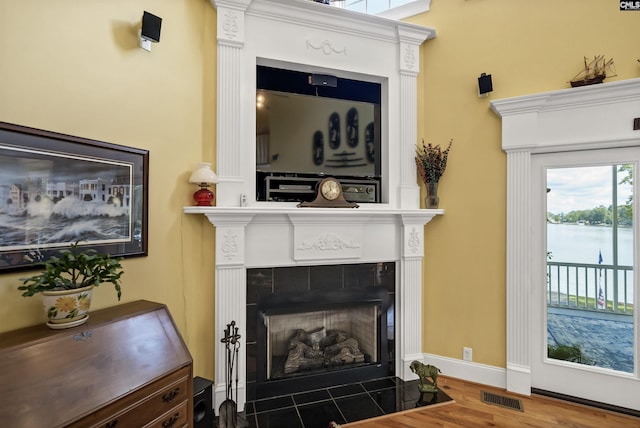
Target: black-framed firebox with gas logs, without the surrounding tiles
320,338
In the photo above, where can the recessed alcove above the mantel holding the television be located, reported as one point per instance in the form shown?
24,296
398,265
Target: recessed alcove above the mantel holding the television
310,125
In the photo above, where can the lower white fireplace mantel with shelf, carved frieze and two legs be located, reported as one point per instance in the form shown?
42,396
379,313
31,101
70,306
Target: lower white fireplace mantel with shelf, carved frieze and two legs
251,237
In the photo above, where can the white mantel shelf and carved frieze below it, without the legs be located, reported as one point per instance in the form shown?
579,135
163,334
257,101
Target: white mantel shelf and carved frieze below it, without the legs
274,237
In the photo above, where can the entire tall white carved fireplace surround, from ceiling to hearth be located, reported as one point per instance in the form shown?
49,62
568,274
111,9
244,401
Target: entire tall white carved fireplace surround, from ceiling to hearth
304,35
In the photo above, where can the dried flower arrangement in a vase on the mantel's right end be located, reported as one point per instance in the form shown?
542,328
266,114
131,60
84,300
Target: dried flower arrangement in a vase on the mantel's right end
431,162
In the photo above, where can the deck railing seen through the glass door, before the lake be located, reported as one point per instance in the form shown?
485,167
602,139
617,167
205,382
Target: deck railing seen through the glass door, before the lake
596,287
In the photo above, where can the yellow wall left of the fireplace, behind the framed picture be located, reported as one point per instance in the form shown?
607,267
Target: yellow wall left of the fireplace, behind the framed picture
74,66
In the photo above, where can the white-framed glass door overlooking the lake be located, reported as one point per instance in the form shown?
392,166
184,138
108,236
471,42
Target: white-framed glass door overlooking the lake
585,293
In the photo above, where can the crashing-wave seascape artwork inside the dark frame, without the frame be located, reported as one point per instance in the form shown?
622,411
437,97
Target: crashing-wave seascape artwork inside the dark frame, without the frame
49,200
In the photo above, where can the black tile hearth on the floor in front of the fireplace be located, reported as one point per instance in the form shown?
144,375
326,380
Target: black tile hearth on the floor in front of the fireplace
342,404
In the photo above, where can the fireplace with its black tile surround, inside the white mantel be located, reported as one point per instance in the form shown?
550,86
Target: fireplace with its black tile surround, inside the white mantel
311,327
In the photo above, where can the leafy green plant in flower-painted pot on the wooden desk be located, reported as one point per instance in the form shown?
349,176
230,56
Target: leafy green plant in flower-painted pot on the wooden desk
67,281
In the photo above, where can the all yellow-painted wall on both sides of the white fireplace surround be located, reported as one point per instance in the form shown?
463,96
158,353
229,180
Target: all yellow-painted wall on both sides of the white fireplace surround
73,66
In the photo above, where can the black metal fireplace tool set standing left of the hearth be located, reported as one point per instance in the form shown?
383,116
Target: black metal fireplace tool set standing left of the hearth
228,415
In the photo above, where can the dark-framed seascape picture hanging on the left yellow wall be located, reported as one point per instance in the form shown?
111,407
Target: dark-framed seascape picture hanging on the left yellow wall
58,189
